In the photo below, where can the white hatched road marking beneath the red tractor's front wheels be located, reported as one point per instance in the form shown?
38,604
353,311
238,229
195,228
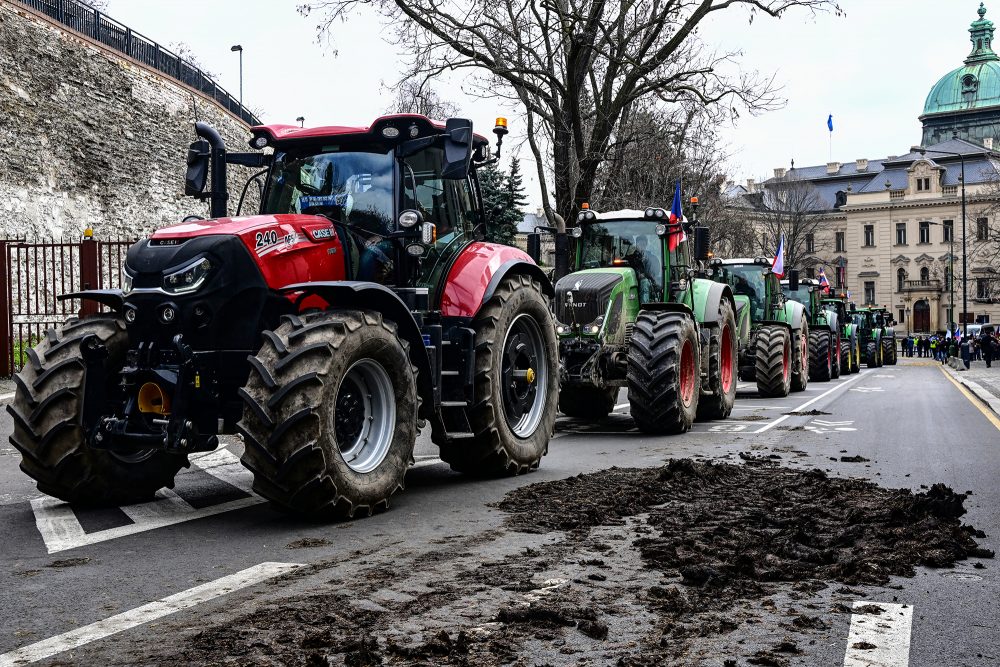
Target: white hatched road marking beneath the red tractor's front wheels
61,530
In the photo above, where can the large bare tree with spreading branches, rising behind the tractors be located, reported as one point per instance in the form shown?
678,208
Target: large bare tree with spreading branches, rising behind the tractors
578,68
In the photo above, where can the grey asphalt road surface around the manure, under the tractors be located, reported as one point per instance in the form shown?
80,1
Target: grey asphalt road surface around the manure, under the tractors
65,570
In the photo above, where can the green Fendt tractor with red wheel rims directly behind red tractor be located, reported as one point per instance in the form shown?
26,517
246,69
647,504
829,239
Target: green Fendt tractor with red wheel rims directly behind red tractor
631,313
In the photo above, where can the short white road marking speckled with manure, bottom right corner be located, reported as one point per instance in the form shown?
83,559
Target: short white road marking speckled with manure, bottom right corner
886,632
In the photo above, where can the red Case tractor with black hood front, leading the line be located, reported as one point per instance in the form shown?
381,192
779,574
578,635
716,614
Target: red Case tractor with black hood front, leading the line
359,304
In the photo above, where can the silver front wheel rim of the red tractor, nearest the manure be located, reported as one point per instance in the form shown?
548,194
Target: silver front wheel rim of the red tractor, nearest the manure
366,391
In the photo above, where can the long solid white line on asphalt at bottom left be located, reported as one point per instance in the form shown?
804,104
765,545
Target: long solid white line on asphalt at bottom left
144,614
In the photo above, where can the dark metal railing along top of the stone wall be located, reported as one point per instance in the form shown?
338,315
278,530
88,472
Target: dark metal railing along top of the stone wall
89,21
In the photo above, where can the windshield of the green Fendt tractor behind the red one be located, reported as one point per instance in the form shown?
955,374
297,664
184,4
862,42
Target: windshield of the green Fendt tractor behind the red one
626,243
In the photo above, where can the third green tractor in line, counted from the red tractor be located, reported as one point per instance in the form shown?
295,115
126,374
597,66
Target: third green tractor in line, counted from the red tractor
824,327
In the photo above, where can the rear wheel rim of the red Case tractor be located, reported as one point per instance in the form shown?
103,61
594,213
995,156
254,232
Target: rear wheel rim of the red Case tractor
523,341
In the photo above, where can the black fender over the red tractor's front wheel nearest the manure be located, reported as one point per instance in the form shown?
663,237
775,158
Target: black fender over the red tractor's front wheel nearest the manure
359,295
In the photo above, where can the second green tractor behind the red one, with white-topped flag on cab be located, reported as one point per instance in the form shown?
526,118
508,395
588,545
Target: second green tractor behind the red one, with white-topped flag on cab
773,330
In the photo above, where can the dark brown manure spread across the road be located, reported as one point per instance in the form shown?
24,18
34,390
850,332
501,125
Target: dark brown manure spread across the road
688,564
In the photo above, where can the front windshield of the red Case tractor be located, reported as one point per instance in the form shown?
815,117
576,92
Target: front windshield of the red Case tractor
352,187
